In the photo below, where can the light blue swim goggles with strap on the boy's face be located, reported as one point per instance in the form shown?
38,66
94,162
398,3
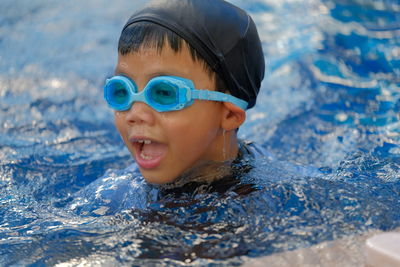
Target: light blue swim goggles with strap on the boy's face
162,93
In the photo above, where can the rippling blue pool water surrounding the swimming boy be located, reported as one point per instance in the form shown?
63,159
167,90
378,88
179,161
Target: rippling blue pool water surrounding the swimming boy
330,101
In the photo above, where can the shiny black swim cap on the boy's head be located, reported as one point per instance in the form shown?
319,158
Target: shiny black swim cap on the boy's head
223,34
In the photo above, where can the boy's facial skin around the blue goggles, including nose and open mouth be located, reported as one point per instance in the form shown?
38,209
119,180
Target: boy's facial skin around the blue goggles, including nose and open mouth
180,139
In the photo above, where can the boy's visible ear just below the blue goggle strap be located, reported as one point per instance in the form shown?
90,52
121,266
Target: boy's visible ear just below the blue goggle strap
233,116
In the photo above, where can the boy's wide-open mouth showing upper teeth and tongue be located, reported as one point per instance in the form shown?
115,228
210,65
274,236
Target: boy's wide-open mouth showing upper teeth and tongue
148,153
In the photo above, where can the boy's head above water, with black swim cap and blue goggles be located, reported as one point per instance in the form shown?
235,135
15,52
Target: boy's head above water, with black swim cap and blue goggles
187,70
